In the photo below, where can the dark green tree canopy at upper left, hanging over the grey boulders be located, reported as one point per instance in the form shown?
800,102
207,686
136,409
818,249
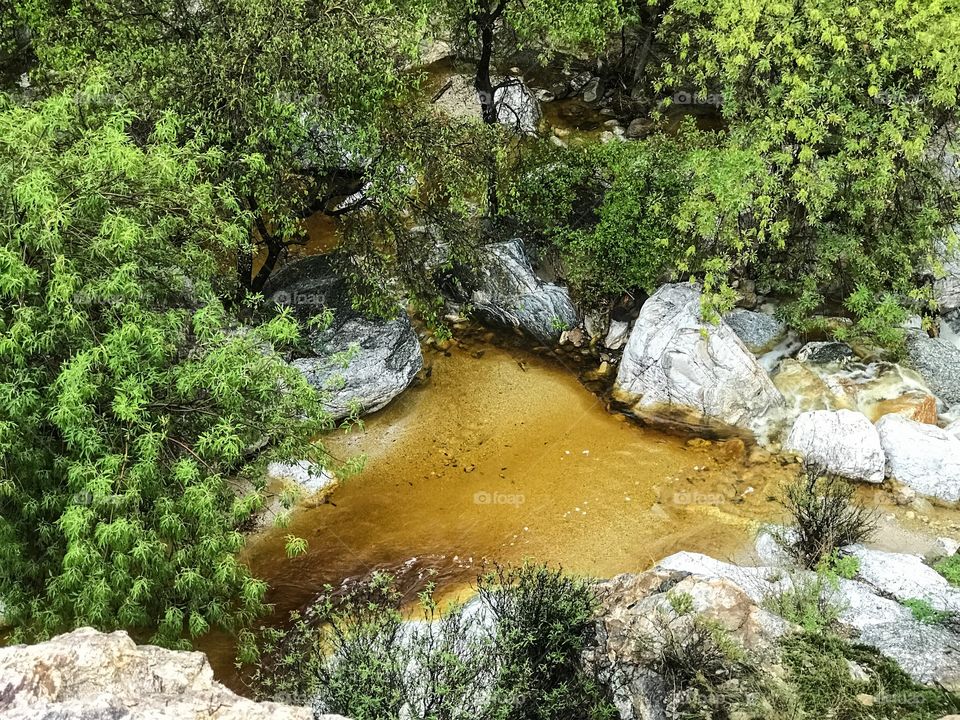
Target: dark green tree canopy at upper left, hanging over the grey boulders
314,107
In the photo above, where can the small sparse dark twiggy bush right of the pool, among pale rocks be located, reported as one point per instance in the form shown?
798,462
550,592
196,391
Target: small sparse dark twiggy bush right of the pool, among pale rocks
825,518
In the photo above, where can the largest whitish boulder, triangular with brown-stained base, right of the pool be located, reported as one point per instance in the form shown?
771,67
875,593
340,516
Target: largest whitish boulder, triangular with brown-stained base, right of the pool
679,371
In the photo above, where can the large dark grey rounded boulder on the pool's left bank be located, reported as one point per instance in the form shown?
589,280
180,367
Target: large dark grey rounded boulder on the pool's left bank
359,362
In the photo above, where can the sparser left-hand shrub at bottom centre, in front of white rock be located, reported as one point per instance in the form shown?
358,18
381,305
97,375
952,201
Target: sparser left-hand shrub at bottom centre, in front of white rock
356,656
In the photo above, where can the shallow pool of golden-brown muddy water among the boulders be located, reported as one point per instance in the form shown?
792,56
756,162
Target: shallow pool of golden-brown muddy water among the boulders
502,455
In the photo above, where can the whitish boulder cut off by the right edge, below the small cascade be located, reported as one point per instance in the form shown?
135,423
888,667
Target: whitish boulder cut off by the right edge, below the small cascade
923,457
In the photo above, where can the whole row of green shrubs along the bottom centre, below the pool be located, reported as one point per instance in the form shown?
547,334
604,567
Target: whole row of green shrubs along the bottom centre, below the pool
514,654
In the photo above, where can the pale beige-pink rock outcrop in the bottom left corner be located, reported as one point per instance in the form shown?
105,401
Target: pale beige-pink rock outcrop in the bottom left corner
89,675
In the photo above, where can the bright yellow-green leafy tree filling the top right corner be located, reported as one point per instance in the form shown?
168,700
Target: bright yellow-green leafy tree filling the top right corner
848,106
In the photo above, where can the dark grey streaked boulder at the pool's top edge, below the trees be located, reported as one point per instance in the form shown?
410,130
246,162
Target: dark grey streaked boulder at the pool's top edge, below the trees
511,295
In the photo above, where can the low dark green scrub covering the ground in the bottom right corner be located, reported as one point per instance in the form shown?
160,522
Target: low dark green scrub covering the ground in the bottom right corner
819,672
